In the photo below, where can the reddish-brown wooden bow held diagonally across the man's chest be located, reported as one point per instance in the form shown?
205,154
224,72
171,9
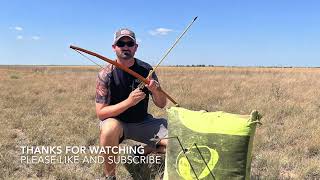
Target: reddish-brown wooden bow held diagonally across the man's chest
122,67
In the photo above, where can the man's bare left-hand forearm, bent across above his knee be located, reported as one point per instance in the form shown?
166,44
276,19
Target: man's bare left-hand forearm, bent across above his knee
104,112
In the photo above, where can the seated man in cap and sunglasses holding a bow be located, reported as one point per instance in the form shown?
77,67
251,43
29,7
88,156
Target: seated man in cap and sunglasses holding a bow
122,106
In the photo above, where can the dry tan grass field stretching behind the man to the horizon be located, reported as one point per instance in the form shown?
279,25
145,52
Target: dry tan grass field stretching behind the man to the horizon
54,106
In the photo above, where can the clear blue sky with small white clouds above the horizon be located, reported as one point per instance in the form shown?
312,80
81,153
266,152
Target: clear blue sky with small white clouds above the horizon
227,33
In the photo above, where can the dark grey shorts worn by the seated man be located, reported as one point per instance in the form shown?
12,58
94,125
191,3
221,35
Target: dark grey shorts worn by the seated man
144,131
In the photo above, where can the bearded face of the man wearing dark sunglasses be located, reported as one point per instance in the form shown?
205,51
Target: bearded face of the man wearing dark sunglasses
125,48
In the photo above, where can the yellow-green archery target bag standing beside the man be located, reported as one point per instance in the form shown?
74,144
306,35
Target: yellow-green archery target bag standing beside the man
209,145
